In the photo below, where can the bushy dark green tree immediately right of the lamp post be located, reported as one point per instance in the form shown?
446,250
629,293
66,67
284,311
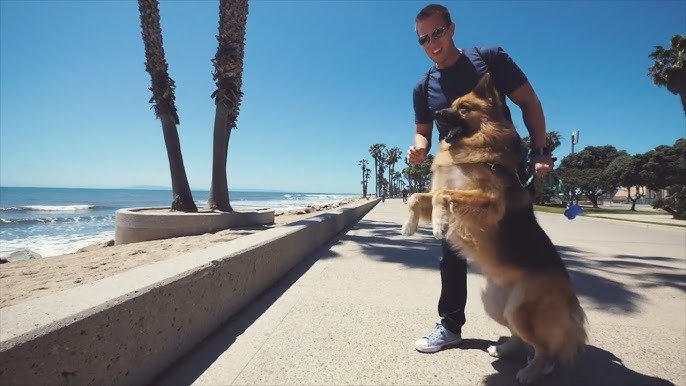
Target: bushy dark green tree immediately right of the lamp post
585,171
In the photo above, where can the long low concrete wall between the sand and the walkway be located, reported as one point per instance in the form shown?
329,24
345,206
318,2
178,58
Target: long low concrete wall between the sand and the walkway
127,328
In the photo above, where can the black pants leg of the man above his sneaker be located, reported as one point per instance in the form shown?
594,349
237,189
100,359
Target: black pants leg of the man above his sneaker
453,289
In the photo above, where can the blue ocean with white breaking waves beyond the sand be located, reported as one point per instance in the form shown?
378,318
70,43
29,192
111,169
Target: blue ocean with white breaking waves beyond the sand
55,221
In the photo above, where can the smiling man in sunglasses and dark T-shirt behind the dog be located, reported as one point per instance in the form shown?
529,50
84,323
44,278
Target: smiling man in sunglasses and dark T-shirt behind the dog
455,73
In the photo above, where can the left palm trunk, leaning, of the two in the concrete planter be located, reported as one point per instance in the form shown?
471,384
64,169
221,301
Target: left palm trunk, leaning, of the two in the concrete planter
163,102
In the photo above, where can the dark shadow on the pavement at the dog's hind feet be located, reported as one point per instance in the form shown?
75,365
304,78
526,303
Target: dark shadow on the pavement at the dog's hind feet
594,367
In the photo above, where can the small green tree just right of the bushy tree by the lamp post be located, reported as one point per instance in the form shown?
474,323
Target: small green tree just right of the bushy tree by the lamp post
625,170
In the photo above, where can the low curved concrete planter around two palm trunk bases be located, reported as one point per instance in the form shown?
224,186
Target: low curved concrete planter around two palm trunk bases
142,224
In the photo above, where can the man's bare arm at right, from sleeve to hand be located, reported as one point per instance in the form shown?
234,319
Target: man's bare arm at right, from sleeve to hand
532,112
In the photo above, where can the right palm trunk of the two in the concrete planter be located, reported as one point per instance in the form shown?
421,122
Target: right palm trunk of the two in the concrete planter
228,70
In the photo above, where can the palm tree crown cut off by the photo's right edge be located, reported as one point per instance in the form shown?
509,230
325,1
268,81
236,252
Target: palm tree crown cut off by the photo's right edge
669,67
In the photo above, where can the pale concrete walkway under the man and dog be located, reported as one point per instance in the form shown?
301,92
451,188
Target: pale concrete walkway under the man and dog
351,313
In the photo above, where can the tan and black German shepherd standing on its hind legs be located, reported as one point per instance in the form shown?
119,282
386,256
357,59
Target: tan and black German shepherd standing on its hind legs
479,206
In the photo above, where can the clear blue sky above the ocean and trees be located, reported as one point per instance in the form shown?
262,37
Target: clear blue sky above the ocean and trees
322,82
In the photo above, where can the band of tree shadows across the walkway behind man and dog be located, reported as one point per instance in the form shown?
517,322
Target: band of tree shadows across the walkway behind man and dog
591,276
